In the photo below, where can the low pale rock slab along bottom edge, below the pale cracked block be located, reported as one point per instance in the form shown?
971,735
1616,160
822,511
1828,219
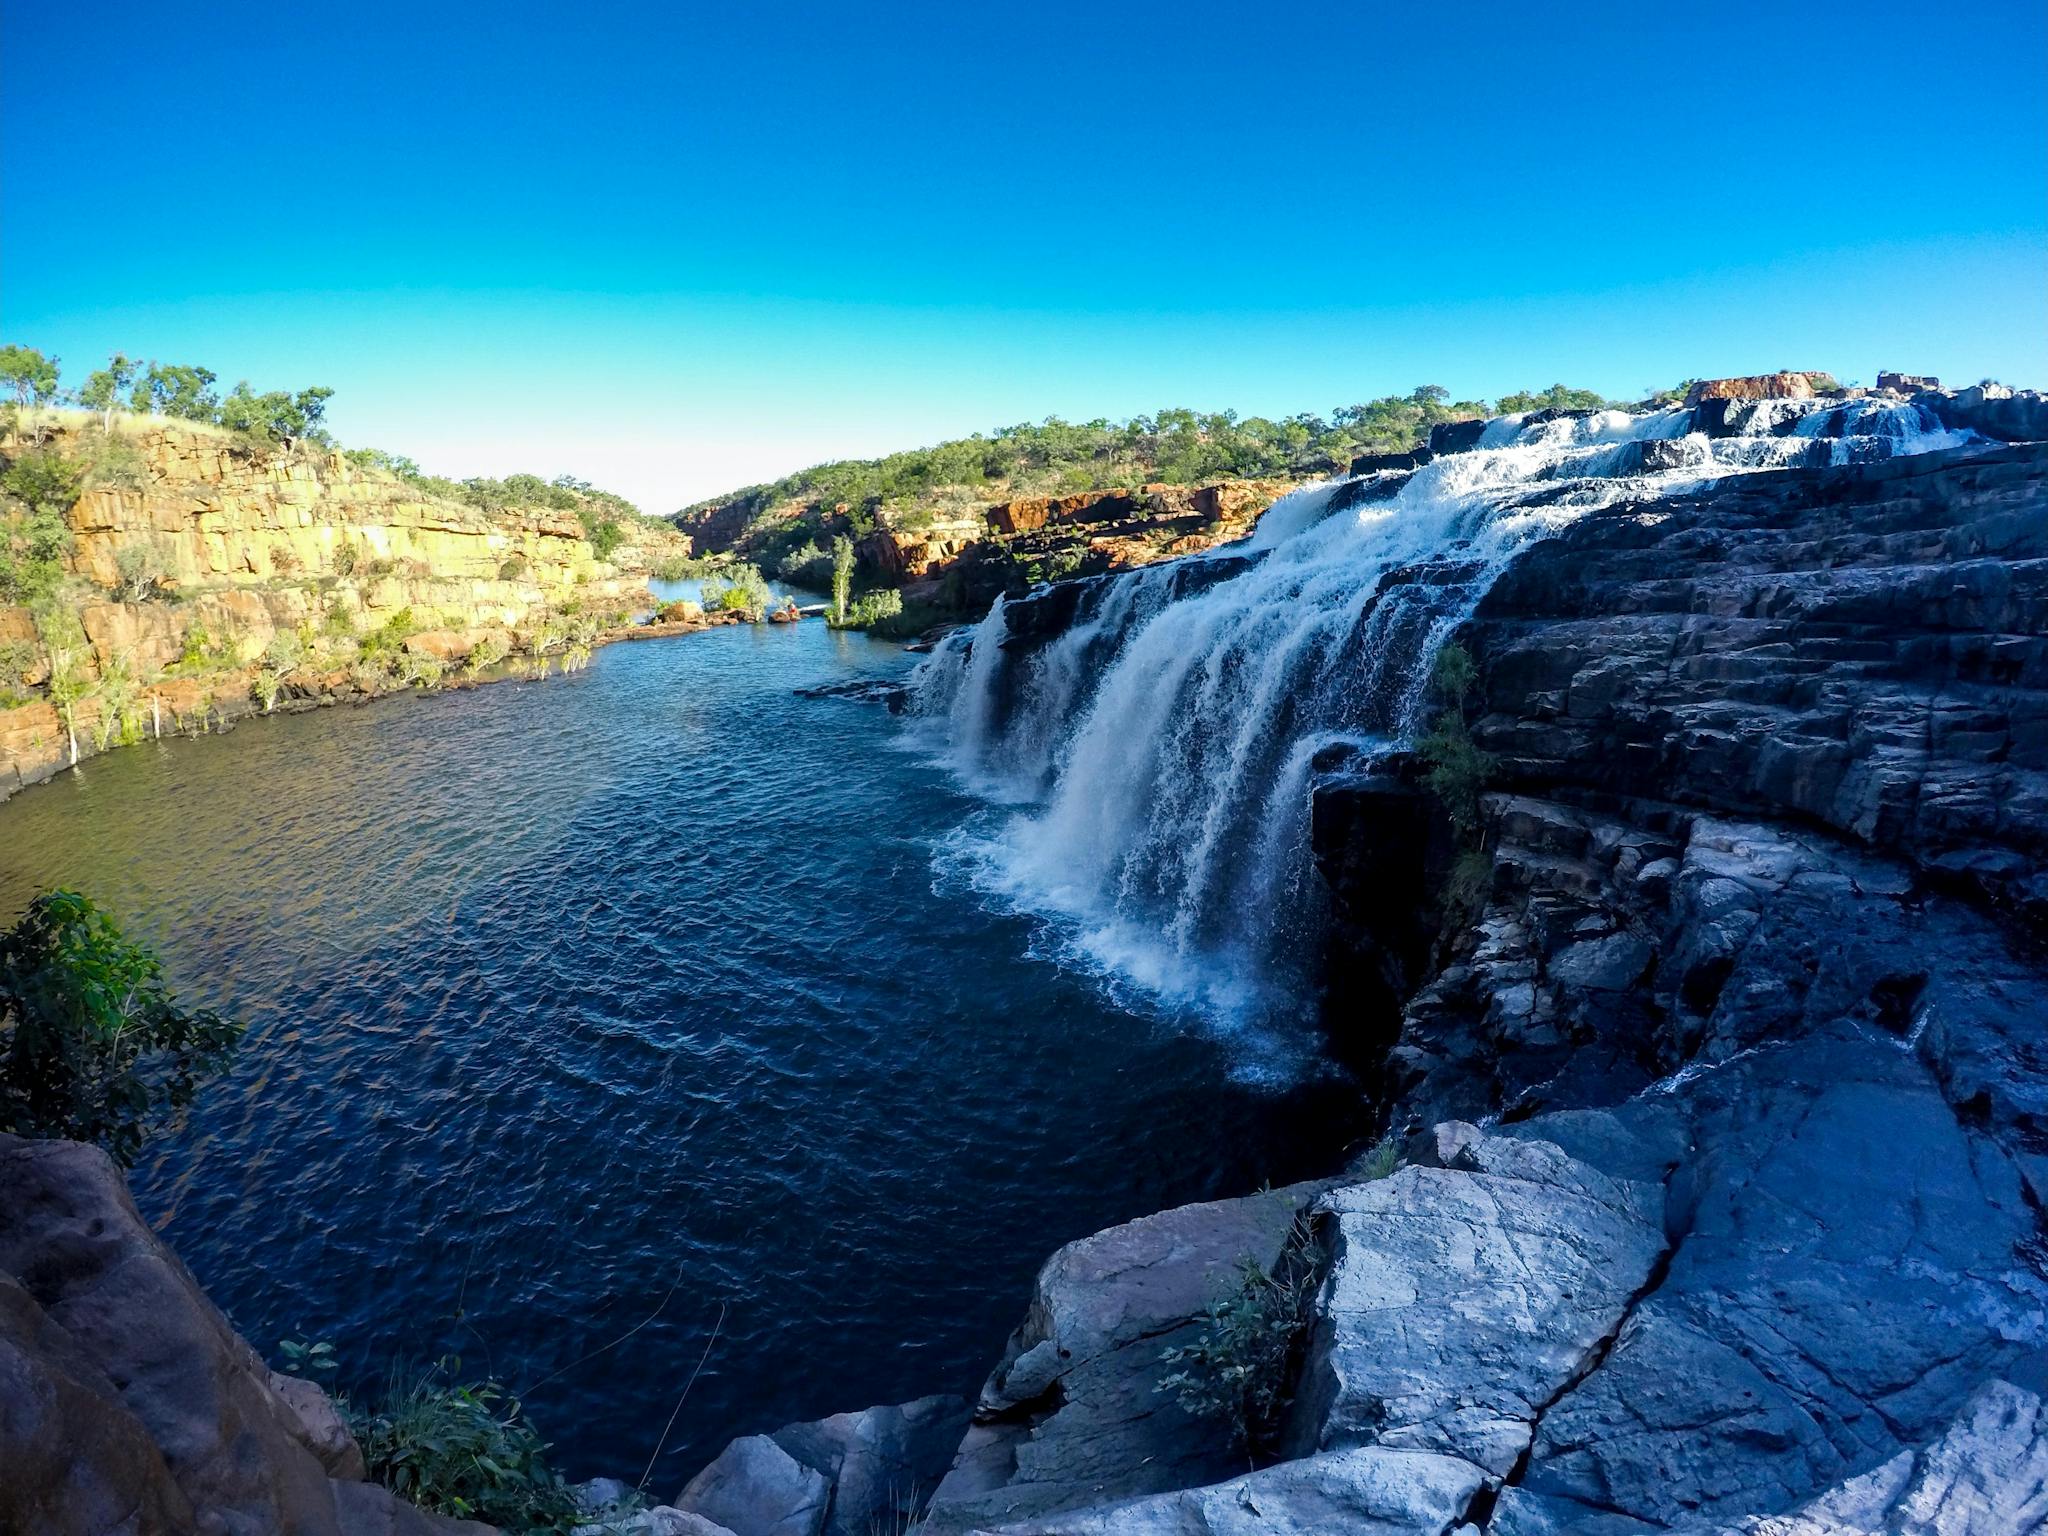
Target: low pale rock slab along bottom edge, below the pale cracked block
1367,1492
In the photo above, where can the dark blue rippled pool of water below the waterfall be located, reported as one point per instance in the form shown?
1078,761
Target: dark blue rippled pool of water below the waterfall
634,994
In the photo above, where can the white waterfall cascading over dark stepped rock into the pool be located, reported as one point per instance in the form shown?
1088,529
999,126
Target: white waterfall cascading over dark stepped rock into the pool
1158,753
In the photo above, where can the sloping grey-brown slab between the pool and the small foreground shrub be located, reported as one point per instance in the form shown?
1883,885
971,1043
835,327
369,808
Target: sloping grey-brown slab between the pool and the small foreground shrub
1074,1414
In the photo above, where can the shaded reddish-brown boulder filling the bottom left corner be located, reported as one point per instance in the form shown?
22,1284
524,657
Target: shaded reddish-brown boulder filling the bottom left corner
128,1404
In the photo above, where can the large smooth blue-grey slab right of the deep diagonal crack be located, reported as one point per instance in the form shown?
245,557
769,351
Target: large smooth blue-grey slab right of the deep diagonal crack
1854,1267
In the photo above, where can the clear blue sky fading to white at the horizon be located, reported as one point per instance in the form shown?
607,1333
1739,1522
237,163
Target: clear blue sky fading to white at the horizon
681,247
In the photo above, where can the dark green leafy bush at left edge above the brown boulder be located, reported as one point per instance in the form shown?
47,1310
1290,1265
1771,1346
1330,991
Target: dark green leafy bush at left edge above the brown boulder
93,1048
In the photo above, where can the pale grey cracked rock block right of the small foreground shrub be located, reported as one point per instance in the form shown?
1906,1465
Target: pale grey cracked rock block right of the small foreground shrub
1463,1299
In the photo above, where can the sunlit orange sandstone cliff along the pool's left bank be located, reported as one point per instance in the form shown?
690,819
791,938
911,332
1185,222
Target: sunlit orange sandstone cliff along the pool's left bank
263,560
